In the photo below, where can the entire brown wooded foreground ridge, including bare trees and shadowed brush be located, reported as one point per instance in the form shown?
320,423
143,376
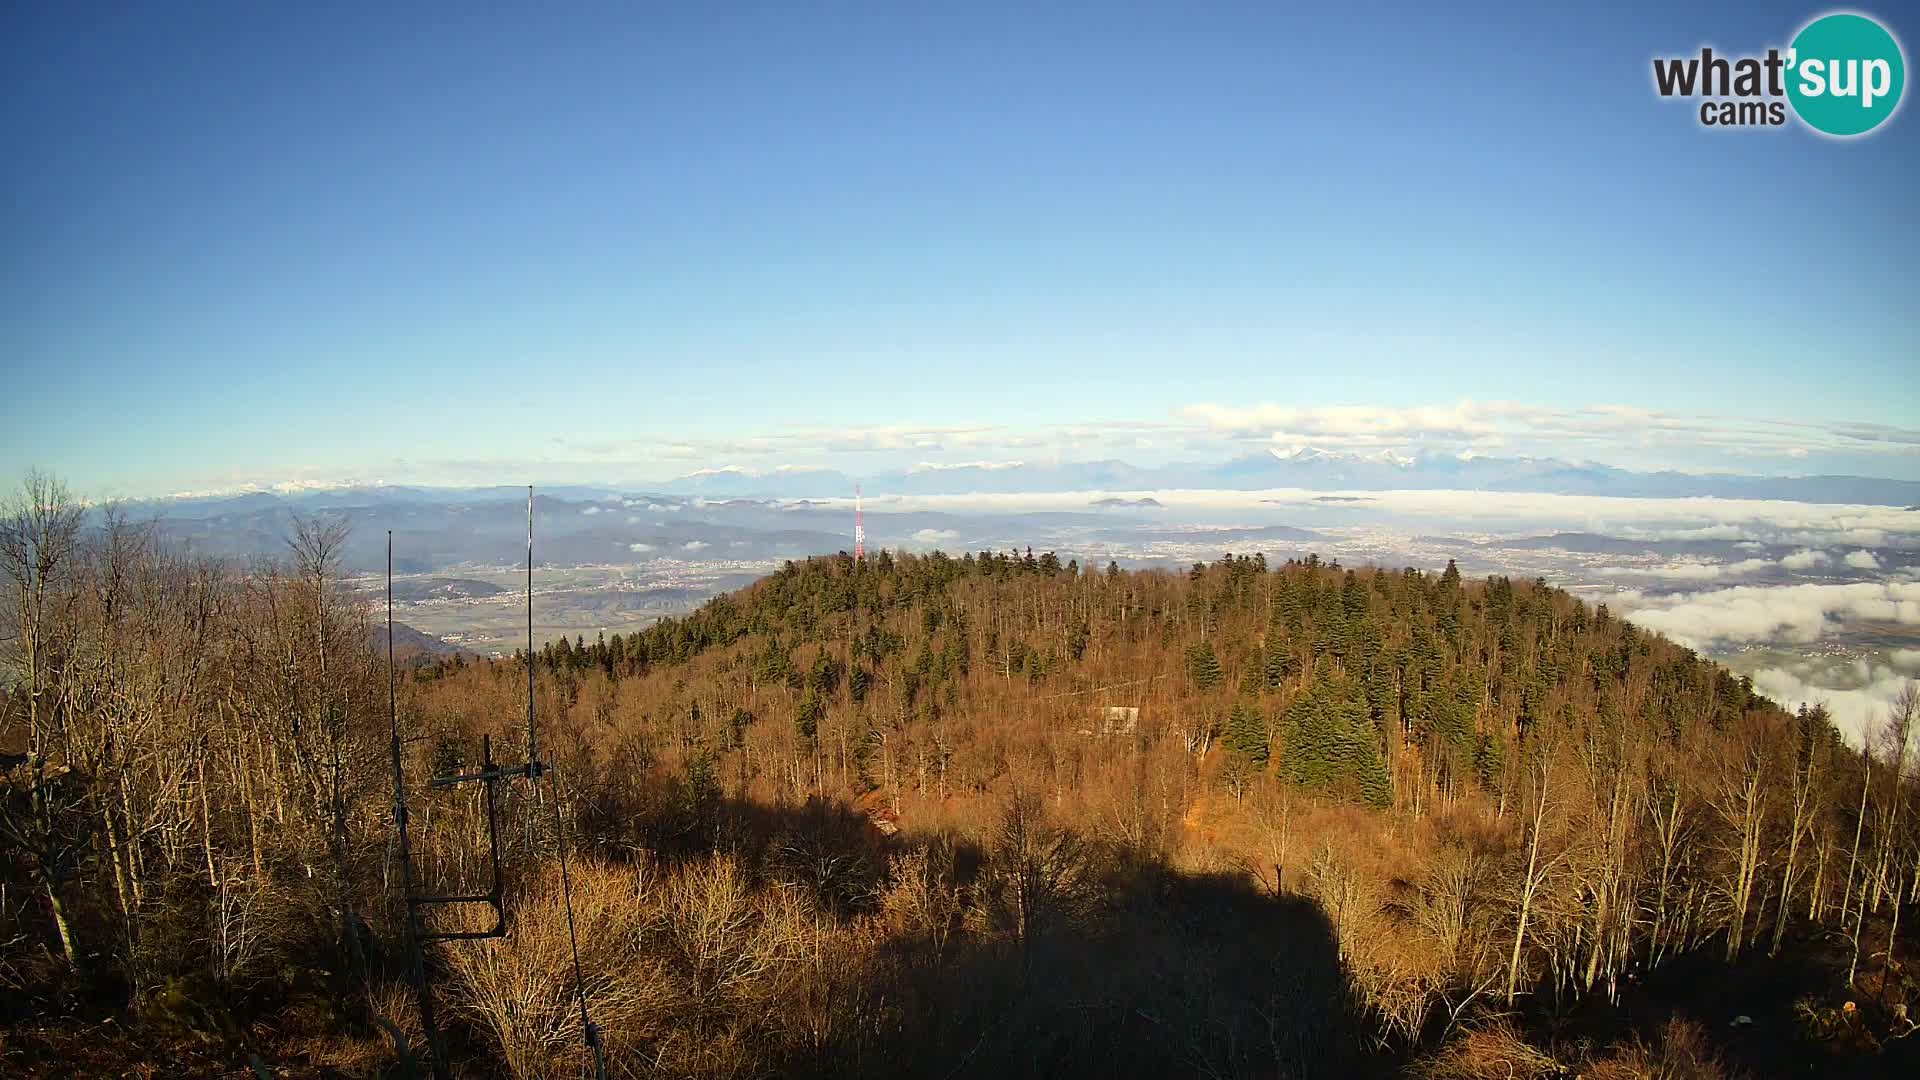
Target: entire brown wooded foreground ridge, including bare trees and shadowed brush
936,816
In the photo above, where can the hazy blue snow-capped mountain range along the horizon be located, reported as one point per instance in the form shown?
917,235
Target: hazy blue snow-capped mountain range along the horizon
1303,468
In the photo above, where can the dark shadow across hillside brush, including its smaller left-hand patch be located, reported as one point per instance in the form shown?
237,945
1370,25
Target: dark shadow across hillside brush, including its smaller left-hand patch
1166,975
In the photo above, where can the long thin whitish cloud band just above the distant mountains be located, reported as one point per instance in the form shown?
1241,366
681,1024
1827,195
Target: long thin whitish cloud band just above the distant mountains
1203,431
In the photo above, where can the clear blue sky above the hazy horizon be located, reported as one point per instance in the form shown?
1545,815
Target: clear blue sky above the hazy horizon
627,243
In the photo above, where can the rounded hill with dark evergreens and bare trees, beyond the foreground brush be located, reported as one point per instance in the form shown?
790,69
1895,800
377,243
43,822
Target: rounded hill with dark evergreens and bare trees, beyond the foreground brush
1389,687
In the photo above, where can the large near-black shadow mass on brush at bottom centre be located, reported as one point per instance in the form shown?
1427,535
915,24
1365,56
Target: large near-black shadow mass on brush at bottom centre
1195,977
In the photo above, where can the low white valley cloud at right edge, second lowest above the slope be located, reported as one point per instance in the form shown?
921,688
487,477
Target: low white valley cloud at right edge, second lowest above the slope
1771,614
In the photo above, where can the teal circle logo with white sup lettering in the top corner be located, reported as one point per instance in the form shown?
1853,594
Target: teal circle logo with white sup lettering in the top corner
1846,74
